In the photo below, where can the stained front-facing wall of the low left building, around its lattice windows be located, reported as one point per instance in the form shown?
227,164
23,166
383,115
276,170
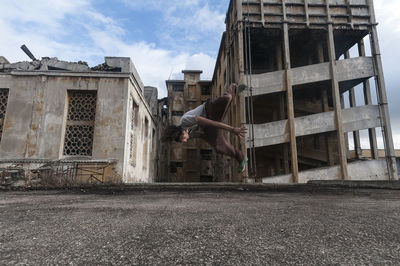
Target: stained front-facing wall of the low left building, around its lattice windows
36,111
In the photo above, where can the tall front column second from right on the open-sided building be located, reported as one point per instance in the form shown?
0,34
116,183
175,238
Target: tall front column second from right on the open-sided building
336,97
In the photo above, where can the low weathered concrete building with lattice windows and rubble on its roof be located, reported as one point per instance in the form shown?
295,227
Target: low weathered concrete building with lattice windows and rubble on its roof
78,123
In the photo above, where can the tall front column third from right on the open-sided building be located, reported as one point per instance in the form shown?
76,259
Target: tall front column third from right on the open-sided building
289,96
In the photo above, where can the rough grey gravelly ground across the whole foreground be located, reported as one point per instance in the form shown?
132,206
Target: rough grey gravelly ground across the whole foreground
348,227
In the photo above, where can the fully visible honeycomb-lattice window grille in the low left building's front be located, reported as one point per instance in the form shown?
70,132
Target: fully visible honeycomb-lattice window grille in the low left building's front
80,123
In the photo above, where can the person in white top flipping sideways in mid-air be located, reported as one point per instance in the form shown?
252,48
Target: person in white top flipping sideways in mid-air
205,122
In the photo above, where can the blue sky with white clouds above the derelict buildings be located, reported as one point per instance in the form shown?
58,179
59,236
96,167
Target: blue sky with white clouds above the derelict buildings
162,37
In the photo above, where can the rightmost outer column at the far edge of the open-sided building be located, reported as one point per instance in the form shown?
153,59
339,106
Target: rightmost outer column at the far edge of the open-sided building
382,97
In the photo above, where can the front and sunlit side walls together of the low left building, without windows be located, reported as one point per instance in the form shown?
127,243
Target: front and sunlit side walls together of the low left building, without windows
35,121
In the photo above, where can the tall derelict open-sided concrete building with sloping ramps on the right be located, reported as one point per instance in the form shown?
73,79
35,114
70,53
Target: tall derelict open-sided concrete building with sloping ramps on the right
294,57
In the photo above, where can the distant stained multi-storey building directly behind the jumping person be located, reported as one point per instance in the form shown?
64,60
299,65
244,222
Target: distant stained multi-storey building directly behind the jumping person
191,161
